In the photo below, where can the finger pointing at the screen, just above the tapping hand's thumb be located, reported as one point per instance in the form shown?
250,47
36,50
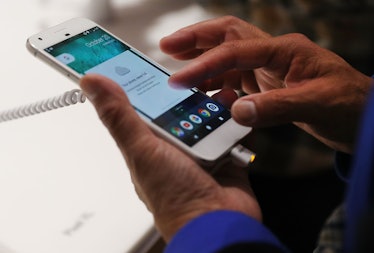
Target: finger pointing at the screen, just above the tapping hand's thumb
275,55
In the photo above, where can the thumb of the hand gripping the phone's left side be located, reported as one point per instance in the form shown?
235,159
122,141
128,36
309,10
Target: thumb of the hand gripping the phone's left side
115,111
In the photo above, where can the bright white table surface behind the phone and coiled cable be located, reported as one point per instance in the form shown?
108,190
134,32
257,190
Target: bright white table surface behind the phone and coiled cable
64,187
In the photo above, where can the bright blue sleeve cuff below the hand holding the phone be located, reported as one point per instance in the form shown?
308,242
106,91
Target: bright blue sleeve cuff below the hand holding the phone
224,231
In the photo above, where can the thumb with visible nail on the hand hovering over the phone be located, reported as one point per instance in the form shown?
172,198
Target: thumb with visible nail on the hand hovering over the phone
274,107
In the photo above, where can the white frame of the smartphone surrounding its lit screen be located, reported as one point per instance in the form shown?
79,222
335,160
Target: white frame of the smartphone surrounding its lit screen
208,150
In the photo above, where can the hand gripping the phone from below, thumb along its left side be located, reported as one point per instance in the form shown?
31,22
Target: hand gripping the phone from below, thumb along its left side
172,185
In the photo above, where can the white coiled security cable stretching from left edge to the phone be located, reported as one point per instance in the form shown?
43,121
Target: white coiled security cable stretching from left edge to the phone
66,99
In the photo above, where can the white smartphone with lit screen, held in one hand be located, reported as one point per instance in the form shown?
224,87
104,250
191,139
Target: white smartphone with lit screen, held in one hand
189,119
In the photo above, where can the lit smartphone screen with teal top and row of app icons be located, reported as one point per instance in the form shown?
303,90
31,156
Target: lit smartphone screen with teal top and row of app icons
189,115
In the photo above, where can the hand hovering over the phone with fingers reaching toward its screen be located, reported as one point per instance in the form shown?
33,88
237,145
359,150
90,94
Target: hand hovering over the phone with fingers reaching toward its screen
287,78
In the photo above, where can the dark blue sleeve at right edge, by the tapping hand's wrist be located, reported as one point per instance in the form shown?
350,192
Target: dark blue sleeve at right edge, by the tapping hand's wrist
360,195
